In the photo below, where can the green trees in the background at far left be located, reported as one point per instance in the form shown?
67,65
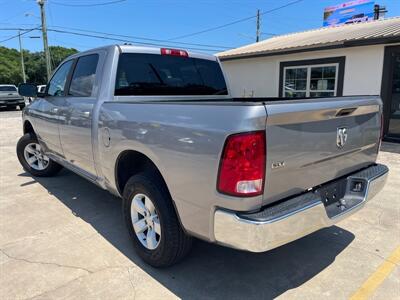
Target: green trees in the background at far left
35,66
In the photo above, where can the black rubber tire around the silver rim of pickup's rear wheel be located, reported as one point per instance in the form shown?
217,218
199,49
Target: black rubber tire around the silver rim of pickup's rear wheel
173,244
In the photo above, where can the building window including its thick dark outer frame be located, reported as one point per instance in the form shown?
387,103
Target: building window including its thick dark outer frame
312,78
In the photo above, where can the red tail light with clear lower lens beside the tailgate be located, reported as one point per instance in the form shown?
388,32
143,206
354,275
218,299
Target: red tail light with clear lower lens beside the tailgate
242,166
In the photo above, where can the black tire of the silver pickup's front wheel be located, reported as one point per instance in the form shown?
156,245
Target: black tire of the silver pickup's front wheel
49,168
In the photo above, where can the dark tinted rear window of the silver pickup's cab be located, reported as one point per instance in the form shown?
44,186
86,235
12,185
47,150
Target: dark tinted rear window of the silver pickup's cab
151,74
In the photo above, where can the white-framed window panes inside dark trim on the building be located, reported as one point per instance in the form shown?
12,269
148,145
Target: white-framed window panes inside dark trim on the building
310,81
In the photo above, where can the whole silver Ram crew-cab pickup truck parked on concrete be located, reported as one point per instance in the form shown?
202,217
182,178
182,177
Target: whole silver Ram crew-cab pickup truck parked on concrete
158,128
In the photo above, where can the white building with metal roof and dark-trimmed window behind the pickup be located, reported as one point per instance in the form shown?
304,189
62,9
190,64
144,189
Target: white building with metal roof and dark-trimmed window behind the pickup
356,59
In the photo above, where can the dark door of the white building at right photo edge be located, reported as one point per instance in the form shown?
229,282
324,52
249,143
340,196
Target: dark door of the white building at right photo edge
391,93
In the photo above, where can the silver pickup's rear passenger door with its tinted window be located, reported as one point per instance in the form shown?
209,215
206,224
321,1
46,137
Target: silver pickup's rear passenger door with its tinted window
77,112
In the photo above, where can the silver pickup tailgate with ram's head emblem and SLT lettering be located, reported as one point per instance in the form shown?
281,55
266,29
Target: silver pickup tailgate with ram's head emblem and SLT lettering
307,144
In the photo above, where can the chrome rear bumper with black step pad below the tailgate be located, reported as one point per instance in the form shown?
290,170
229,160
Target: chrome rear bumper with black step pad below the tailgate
296,217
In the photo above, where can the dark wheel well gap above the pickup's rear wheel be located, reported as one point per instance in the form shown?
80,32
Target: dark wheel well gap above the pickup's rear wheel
130,163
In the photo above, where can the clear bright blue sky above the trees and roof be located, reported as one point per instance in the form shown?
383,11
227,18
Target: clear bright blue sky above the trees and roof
168,21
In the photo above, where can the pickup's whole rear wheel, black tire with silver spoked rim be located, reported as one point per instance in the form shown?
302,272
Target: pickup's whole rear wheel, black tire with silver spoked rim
153,225
